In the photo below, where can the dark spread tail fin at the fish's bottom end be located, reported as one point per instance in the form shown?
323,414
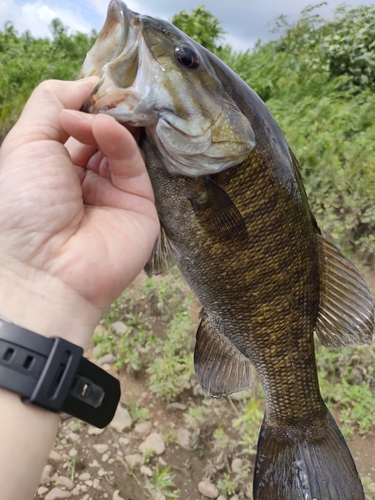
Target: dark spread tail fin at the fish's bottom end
310,464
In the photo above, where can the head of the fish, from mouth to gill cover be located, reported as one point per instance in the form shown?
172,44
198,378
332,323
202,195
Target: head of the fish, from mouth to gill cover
155,76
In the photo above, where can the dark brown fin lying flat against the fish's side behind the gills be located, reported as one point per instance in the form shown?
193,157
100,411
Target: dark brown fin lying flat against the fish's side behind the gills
214,207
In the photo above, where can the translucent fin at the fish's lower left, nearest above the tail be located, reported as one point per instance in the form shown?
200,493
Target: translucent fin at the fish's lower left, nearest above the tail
220,367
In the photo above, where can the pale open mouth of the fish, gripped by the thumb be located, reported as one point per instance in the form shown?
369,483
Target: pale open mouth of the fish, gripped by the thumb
121,58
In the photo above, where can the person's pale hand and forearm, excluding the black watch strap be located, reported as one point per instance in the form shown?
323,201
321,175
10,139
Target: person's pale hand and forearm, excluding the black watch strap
77,224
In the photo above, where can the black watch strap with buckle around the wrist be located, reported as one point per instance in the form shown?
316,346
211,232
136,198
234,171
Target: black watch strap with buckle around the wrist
51,373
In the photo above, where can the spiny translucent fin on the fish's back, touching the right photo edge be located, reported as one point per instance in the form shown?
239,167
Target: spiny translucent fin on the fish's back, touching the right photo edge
346,314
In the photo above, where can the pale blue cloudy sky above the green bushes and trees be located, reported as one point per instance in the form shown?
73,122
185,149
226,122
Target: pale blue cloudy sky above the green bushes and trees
245,21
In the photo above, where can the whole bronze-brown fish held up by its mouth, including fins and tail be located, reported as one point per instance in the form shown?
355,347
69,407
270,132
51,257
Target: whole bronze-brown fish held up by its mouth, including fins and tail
235,219
